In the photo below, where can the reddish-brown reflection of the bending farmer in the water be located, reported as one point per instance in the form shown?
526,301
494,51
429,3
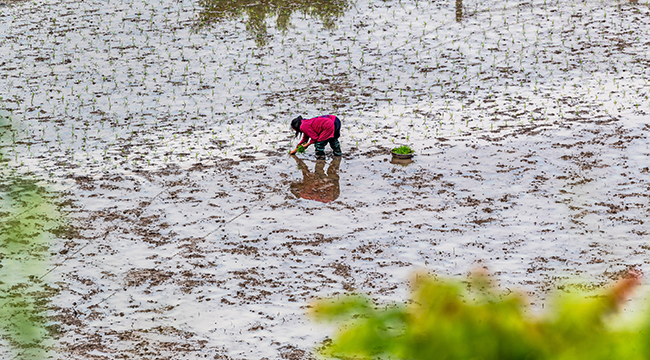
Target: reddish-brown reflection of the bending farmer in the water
318,185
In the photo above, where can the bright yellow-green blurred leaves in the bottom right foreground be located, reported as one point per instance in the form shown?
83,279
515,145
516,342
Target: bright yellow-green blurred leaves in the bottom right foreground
446,319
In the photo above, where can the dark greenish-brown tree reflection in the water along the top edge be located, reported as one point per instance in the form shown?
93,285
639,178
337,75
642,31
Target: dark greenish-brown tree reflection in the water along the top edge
257,13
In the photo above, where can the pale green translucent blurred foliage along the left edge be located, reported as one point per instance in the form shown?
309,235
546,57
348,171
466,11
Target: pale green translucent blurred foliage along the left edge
28,214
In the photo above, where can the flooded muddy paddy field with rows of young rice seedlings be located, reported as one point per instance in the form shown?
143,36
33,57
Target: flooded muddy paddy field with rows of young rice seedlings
162,128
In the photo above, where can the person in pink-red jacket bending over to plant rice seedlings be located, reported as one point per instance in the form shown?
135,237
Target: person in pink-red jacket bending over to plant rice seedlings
321,130
